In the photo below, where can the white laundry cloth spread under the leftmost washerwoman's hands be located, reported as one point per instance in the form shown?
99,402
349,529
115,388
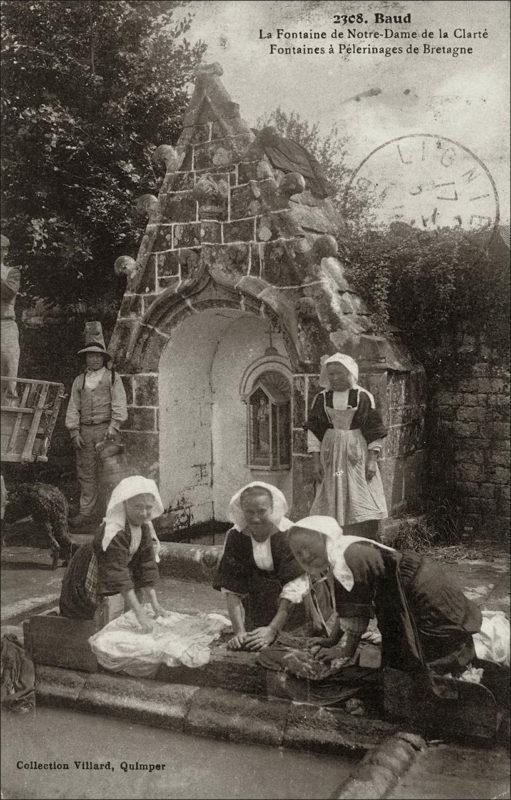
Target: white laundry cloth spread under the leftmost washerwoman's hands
180,639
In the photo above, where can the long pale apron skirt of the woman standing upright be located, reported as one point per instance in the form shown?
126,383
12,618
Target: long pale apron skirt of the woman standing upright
345,493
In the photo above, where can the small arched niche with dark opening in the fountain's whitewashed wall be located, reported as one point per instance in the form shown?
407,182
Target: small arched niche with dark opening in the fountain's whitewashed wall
269,423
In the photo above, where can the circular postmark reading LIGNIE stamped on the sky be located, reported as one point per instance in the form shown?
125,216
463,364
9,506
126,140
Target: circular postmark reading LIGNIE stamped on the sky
429,182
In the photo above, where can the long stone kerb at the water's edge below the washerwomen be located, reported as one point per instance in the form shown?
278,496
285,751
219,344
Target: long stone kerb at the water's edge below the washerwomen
211,712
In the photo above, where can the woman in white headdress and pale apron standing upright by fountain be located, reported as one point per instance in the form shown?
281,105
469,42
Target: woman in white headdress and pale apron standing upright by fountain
345,433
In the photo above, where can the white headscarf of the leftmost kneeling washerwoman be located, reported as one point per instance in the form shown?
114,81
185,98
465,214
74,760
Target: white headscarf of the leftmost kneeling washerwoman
115,518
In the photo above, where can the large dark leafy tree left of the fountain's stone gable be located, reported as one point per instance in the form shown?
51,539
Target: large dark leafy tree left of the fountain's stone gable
90,87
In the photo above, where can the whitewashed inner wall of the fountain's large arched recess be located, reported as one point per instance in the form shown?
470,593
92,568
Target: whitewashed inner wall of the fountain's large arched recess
204,455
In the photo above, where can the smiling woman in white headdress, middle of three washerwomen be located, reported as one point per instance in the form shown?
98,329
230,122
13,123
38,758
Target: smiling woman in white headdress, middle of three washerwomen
256,565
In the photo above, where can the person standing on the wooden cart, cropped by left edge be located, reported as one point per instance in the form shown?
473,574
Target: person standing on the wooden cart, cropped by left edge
9,340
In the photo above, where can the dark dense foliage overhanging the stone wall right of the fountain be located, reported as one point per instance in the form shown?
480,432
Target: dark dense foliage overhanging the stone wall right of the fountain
436,287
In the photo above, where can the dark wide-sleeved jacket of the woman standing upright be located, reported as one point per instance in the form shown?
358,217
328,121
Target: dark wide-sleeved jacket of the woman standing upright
366,418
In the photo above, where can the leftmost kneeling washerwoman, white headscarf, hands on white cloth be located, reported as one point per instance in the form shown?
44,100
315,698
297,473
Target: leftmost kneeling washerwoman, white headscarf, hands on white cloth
122,558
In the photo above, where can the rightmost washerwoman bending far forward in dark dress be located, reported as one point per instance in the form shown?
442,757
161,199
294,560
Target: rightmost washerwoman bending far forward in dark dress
423,616
